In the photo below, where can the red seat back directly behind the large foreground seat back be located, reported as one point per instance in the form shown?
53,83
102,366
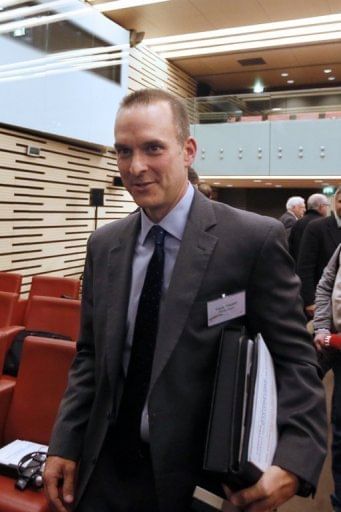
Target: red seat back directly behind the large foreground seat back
55,315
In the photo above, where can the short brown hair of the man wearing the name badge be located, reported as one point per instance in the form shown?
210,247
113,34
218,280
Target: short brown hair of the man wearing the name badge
150,96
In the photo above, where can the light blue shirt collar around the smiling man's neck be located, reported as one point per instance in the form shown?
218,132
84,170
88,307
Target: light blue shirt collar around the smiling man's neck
174,222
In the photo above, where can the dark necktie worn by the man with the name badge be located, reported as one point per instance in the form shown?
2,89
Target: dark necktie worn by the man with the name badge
136,386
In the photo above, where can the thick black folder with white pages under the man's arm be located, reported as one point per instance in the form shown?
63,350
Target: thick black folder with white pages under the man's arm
243,410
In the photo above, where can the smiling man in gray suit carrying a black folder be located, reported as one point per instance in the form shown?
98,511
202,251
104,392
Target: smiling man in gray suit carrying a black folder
212,254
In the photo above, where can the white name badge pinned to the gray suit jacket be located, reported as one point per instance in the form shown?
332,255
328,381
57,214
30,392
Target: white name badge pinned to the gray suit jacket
225,308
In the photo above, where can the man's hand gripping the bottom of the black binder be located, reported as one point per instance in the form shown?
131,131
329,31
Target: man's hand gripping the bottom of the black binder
274,488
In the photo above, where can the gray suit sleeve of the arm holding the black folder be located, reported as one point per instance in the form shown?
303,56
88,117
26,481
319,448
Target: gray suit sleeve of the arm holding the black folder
274,308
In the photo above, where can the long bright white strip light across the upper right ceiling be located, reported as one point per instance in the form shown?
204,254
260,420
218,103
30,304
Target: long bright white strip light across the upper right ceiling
266,35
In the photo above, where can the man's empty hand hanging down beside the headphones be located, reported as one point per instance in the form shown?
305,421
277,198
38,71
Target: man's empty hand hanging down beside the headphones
59,479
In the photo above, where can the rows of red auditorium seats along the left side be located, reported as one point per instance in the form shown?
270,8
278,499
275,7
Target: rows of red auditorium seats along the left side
29,402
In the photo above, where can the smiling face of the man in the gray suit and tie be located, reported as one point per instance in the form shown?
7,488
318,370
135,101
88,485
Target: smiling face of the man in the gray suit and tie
151,160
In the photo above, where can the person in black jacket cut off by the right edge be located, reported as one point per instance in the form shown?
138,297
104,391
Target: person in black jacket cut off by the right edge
319,241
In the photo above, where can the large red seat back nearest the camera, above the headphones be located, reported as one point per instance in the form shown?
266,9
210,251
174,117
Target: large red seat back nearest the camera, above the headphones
40,385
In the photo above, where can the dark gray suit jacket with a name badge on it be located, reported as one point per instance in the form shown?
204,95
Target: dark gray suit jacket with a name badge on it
223,250
